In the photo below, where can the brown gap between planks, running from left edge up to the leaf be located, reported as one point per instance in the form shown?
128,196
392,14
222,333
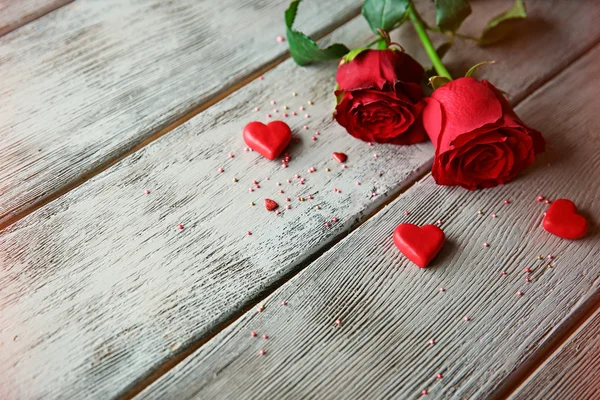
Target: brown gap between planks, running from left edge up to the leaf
15,216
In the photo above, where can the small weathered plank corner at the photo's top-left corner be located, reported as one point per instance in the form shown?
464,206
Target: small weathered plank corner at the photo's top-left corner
16,13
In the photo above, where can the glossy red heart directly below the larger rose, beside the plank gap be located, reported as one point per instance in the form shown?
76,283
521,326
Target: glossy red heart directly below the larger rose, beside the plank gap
419,245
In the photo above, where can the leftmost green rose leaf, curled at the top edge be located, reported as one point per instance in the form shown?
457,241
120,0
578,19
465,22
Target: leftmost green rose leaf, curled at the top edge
303,49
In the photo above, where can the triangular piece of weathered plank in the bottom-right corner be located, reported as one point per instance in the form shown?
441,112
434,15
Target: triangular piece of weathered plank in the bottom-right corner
572,372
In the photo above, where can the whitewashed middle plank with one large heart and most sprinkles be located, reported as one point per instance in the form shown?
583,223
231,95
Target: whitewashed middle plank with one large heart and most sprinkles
101,282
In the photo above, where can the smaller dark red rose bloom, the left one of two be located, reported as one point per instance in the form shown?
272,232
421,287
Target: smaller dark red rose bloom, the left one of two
379,97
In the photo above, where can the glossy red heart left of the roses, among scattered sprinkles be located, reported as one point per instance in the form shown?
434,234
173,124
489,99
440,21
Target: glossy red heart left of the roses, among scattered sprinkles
268,140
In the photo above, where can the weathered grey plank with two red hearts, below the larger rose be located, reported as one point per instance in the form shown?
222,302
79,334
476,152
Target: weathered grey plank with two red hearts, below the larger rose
390,309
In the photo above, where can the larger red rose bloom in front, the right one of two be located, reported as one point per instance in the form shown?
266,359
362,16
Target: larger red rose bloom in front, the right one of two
479,140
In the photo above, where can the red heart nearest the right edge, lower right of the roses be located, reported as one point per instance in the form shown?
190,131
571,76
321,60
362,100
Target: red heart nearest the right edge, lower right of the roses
563,221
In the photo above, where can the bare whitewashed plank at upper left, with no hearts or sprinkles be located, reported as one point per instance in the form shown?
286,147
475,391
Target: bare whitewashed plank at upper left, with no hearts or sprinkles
94,79
